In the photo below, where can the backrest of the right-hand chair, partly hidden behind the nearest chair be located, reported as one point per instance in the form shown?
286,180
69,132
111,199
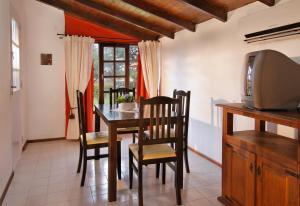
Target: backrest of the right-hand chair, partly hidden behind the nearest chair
185,103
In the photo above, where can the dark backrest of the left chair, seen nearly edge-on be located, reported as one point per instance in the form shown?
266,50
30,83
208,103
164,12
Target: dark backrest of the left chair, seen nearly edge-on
81,116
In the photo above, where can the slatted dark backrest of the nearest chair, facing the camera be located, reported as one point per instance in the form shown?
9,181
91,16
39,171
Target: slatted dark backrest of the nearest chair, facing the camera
156,114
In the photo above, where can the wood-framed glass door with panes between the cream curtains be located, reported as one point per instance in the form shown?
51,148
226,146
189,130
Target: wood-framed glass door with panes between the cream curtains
115,66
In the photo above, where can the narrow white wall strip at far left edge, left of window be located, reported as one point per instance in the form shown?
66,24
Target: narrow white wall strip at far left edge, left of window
5,98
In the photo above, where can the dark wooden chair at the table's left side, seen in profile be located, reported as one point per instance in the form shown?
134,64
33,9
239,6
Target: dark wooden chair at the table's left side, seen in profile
93,140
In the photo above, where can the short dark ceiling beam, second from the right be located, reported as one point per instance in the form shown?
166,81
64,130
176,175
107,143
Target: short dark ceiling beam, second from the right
207,7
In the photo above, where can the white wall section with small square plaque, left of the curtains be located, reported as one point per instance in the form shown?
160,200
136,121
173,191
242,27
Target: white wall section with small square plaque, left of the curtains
45,84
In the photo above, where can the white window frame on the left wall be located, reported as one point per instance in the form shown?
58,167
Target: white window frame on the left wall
15,88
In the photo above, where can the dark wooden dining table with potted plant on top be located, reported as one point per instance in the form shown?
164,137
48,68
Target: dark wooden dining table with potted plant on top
115,119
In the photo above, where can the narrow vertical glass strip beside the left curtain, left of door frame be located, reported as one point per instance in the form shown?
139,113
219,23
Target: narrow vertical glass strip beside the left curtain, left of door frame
96,73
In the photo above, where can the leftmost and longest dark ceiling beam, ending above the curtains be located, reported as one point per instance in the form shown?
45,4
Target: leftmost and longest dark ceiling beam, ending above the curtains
75,9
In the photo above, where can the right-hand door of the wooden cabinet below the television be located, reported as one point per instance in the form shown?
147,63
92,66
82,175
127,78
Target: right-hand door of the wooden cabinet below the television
276,186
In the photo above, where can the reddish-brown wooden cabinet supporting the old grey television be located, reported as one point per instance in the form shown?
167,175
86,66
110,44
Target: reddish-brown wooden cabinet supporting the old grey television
259,168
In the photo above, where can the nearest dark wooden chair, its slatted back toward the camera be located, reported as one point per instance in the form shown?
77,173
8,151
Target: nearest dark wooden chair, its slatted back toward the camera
156,149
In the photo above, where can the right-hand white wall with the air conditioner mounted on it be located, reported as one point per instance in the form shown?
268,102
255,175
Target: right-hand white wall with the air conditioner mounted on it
209,62
